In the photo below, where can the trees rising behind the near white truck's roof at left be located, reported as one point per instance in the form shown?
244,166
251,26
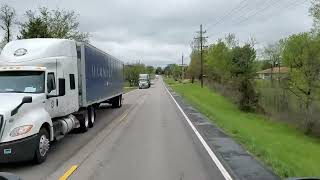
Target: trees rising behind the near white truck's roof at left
41,23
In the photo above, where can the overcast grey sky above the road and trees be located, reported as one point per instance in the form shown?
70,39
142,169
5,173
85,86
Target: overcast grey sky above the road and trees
158,32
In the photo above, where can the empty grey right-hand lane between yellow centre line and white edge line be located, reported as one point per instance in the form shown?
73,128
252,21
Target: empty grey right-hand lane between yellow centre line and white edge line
151,141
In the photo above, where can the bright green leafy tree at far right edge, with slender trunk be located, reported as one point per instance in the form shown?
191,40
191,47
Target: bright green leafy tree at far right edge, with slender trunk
301,53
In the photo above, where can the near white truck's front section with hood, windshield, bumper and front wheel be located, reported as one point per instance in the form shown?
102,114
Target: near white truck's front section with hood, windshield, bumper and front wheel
27,106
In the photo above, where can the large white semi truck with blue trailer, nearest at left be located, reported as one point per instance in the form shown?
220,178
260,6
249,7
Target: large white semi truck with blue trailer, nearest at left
49,87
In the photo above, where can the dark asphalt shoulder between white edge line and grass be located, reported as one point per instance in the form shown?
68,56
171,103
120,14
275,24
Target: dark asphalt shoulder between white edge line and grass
237,161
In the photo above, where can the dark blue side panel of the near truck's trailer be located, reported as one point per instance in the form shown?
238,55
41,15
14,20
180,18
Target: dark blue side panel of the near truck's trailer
103,76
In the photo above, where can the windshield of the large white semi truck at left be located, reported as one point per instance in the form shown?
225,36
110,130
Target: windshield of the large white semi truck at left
22,82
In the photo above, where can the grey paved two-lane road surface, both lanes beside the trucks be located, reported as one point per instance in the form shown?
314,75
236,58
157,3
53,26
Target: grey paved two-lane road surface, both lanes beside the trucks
146,139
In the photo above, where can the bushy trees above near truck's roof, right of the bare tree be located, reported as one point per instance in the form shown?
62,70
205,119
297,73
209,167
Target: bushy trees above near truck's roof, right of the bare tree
52,24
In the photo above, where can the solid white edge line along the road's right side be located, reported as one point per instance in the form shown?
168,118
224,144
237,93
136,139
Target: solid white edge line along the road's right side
223,171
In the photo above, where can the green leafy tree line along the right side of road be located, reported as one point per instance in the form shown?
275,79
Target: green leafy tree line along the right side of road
230,63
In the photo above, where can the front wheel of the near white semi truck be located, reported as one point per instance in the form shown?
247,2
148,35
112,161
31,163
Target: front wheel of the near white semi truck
42,146
